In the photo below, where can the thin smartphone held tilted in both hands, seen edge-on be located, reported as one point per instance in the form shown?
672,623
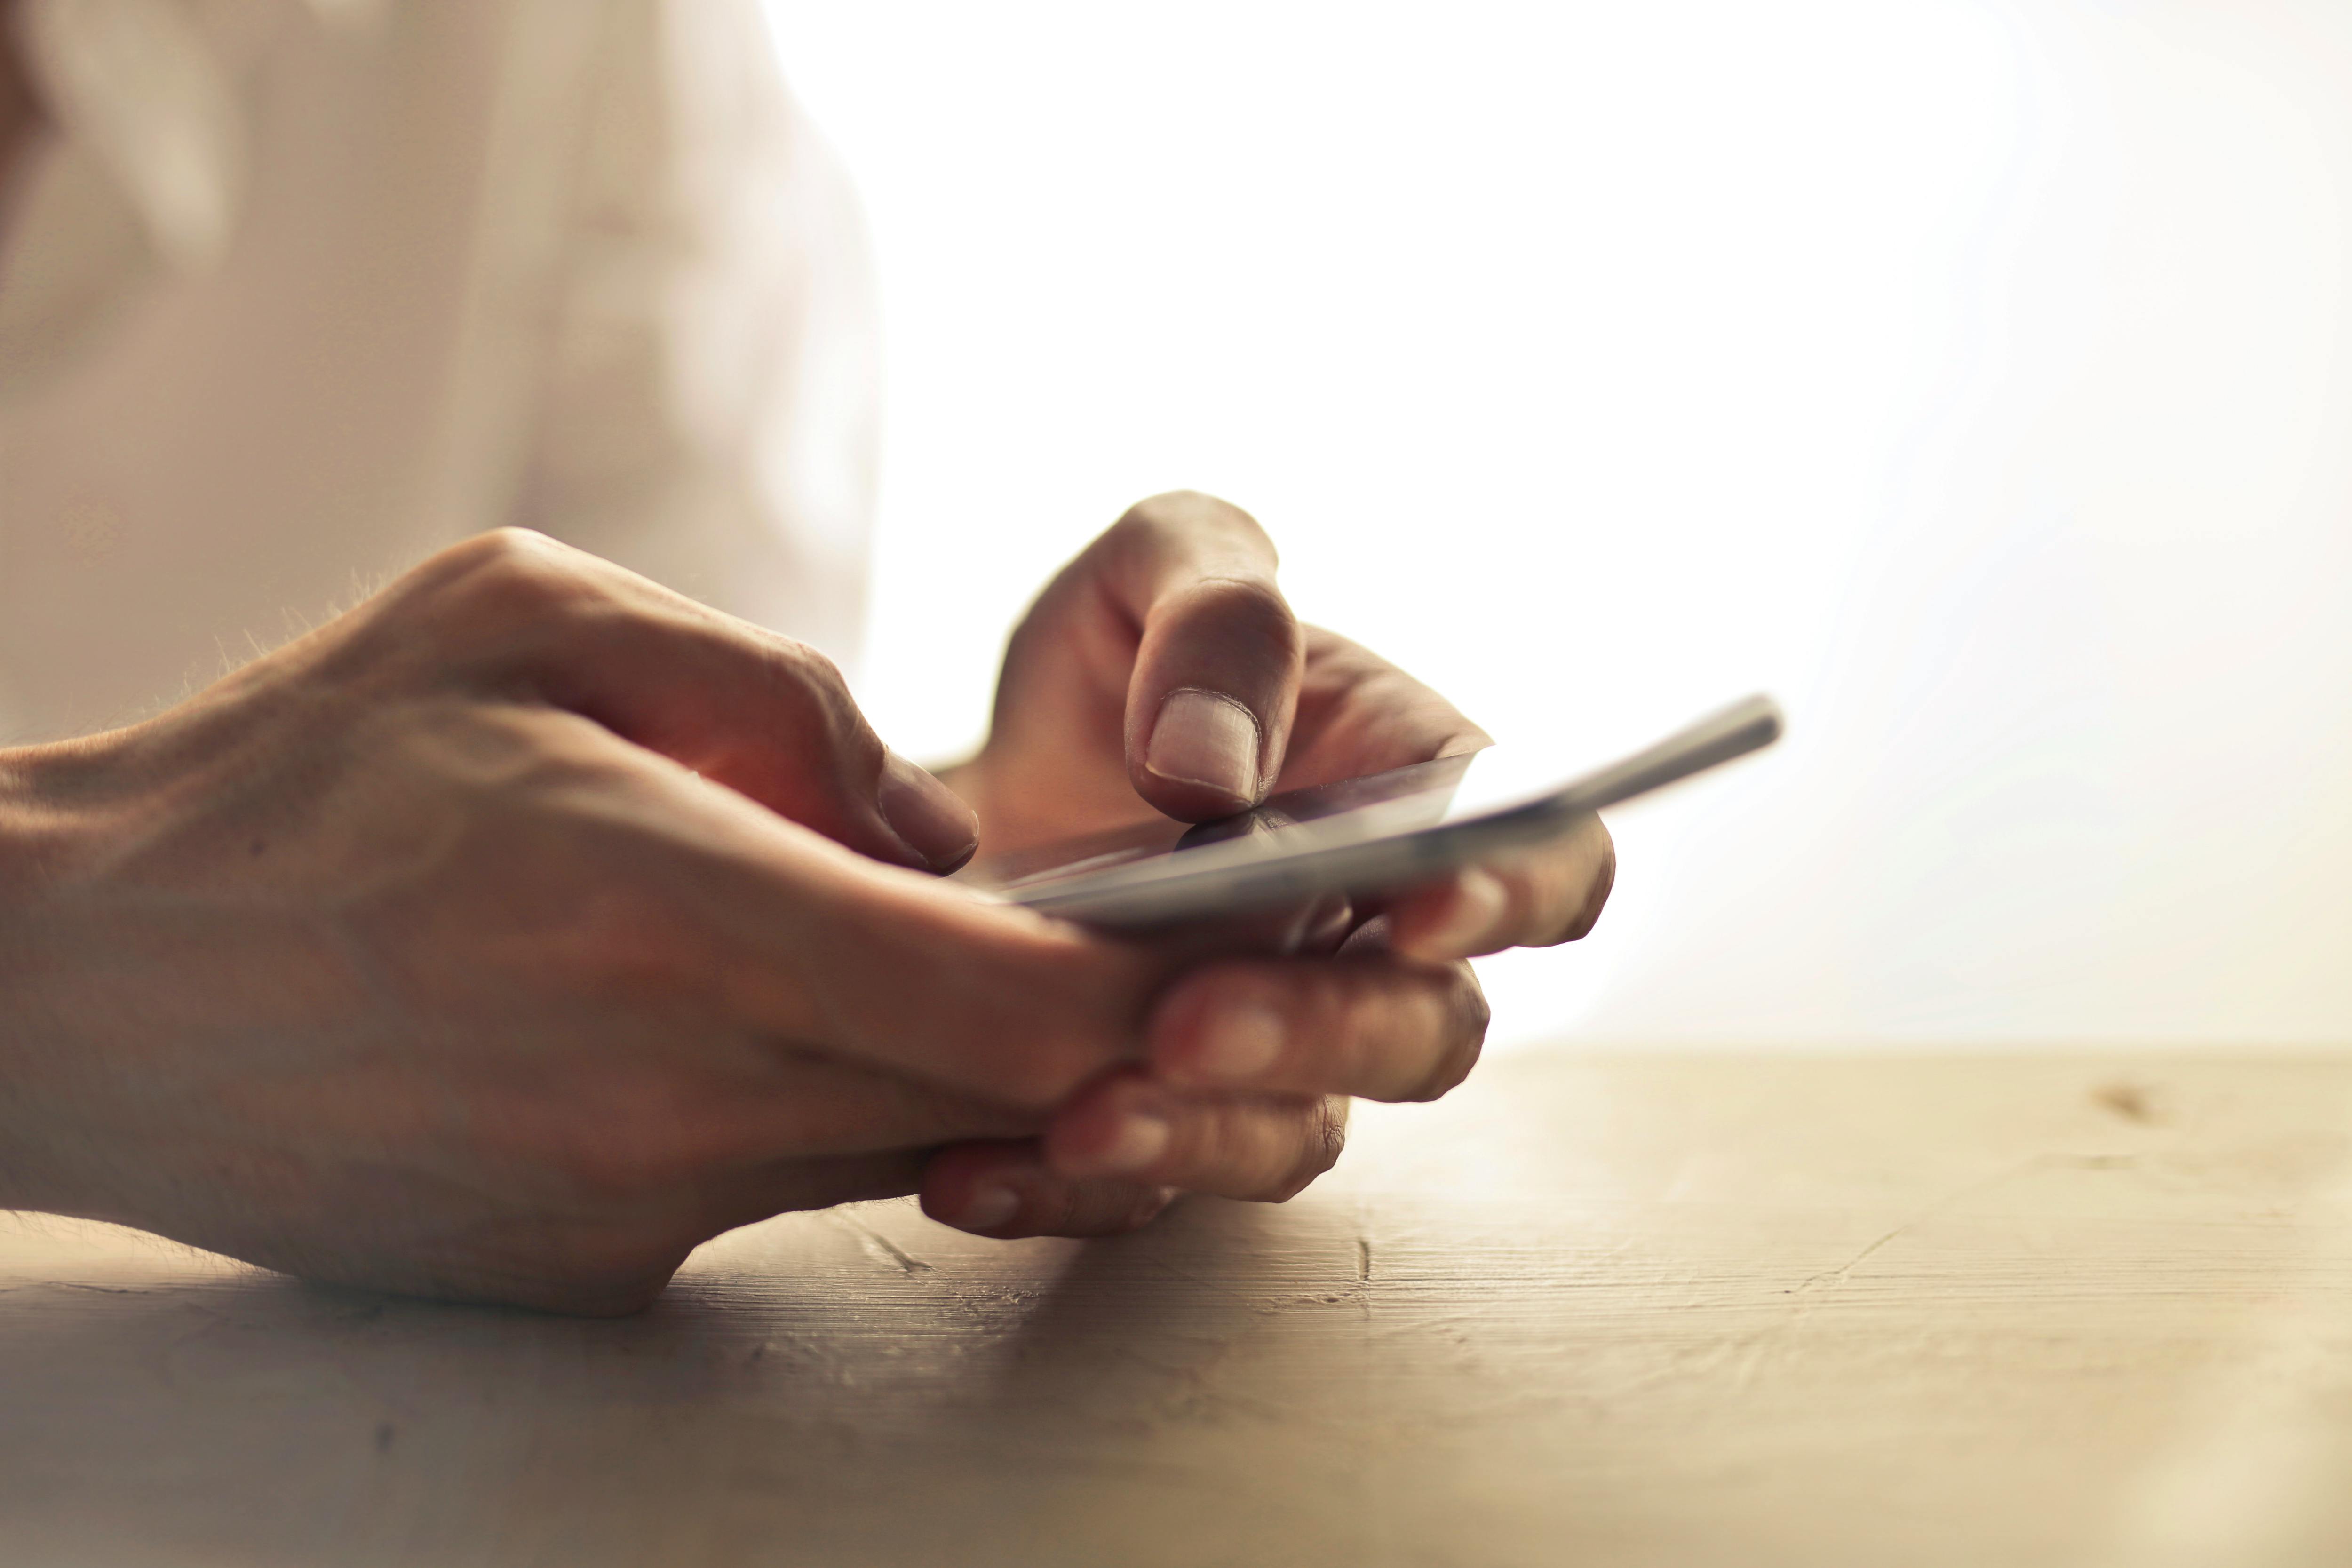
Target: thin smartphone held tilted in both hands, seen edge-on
1363,836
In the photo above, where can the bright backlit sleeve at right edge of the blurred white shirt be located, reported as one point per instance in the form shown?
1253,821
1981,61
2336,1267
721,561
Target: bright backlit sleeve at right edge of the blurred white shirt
707,398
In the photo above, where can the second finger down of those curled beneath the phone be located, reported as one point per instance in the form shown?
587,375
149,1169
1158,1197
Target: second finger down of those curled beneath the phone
1365,1024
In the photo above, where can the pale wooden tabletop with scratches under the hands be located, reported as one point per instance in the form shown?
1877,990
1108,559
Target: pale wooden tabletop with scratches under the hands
1591,1311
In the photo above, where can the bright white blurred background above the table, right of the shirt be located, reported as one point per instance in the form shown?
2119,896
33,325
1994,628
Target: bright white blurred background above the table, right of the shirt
1967,375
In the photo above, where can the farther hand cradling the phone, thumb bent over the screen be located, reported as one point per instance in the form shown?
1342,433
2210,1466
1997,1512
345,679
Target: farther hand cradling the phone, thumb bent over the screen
1163,671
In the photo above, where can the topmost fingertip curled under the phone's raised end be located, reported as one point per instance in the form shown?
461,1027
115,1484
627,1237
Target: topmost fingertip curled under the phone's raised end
1537,899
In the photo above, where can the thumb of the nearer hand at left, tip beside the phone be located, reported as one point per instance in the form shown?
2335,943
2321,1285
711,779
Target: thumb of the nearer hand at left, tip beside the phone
737,704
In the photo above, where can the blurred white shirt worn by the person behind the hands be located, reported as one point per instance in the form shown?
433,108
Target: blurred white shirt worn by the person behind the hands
302,290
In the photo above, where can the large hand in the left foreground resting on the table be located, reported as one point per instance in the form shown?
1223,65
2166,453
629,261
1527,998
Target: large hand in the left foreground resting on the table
507,939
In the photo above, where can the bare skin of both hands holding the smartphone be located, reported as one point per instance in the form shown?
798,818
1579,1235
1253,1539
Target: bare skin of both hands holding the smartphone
530,925
